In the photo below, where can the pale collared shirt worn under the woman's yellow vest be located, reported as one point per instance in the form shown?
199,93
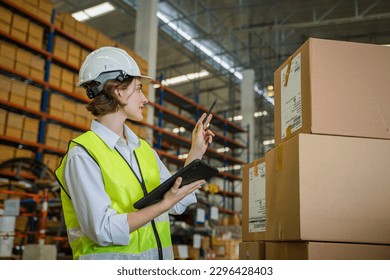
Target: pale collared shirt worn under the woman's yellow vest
92,204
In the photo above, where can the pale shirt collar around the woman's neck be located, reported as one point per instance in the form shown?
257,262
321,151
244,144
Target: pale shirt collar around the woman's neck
111,138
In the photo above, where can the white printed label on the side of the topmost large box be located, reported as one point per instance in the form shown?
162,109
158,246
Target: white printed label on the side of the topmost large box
291,107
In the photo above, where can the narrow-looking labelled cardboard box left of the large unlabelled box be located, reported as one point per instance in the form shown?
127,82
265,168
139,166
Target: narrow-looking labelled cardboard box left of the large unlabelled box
254,200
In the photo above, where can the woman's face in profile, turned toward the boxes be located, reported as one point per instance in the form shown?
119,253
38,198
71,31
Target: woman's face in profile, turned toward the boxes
134,99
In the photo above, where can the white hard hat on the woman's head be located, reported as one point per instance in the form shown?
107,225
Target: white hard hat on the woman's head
108,63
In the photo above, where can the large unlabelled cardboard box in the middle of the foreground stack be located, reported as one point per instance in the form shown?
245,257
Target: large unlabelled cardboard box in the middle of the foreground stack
329,188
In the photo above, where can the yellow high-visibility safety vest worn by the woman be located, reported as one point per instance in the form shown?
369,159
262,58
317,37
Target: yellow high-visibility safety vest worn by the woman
123,187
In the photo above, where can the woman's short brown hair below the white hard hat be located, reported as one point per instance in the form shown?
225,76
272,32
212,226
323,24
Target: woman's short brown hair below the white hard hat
107,101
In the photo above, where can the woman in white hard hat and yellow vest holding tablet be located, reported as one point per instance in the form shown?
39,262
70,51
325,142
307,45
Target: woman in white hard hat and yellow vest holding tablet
106,169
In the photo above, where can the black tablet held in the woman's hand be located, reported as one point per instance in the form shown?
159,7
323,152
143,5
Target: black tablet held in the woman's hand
196,170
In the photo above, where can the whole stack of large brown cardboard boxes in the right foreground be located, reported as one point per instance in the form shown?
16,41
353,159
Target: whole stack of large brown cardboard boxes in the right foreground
326,182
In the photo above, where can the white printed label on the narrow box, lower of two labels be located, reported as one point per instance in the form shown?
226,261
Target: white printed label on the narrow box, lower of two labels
257,198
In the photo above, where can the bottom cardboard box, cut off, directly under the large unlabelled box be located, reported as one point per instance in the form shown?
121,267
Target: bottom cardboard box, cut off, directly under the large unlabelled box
325,251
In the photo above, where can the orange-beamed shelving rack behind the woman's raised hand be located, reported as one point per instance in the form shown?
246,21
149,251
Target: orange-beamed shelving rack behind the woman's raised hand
221,127
